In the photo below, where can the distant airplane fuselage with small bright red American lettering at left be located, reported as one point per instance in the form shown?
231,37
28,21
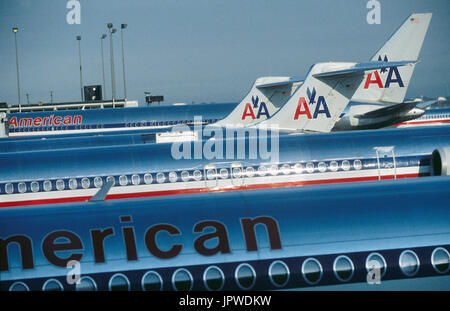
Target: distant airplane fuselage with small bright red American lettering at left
107,120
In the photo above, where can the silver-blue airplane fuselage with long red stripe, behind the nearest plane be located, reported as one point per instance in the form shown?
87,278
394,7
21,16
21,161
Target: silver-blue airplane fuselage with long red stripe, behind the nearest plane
216,165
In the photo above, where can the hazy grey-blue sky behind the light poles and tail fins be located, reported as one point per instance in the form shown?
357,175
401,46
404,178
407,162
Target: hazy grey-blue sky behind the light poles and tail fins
203,50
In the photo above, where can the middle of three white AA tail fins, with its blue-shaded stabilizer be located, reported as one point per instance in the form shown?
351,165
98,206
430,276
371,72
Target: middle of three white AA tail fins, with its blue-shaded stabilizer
318,103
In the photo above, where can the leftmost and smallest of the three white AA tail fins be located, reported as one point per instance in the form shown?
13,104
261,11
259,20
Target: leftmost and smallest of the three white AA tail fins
265,97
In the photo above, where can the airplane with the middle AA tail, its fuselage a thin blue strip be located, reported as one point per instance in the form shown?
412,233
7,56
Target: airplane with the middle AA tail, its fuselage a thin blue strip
328,87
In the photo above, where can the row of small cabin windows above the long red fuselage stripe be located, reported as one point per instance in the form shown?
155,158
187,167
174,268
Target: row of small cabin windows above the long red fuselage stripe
136,179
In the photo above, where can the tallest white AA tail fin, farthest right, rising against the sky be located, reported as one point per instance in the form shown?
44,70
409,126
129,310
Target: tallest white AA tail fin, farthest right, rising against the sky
390,85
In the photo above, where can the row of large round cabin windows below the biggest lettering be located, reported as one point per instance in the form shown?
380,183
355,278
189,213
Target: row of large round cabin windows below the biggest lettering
245,275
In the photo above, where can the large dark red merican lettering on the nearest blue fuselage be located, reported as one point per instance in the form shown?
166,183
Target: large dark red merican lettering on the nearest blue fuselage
75,243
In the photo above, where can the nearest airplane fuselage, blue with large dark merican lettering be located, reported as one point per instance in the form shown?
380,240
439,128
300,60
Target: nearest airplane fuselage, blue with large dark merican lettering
390,235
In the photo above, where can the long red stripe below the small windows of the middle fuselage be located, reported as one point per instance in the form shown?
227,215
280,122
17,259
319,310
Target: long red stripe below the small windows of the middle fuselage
207,190
